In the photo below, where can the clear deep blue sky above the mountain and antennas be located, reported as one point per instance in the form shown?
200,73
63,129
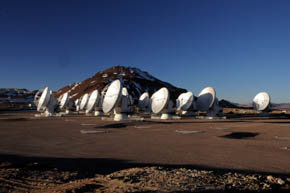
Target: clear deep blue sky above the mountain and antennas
239,47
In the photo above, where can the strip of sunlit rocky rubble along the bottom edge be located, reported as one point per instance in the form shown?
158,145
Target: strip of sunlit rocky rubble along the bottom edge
34,177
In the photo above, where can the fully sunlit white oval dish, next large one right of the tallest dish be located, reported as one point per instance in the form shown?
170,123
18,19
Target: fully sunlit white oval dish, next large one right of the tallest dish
159,100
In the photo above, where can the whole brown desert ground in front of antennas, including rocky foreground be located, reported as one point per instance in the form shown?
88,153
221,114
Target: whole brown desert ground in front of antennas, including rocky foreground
86,154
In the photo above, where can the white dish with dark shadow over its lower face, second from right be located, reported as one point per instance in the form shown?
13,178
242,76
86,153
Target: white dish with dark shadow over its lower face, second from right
205,99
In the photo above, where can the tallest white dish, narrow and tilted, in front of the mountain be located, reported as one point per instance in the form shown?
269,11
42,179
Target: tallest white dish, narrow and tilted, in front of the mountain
112,96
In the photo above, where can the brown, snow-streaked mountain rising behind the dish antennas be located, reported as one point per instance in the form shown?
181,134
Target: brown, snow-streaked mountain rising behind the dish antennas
134,79
